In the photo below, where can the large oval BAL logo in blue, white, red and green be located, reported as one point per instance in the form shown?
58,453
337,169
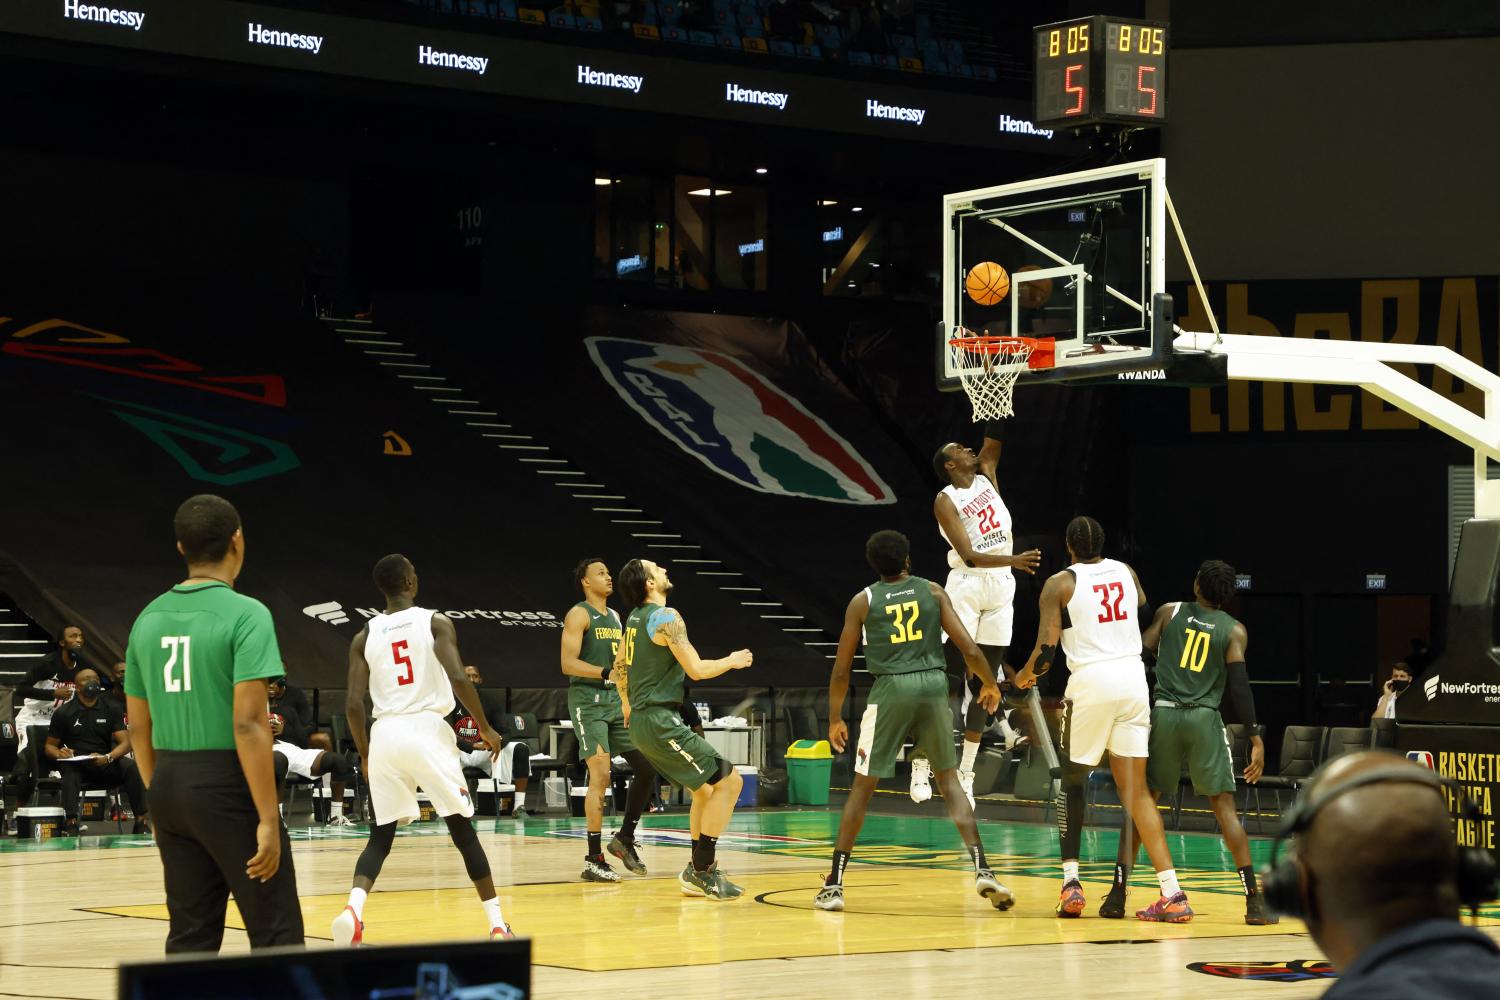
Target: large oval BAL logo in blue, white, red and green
737,422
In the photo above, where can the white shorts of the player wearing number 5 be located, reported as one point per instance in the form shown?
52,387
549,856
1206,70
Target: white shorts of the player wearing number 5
416,752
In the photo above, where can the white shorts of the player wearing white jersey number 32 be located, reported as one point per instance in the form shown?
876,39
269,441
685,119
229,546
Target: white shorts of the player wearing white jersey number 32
1106,707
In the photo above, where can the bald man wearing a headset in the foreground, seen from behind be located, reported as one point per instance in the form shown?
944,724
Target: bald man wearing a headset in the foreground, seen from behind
1379,878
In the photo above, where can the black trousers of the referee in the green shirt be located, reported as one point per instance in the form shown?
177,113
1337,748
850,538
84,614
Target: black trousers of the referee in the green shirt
205,824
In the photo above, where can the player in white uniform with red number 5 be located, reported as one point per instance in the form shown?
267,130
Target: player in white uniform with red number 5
409,659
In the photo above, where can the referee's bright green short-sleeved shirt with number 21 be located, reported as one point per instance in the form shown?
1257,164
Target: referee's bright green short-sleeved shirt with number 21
187,653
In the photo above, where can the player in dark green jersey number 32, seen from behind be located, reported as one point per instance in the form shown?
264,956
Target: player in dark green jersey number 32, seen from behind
899,618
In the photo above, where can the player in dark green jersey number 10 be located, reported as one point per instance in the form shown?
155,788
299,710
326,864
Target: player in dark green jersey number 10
1201,656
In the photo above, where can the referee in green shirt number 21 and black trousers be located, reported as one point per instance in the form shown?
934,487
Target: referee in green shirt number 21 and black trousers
196,684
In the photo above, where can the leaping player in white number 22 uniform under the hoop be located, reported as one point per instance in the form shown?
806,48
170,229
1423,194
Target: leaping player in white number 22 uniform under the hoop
982,585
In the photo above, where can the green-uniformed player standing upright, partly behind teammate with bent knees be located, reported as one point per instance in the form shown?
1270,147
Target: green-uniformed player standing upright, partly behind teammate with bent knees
592,635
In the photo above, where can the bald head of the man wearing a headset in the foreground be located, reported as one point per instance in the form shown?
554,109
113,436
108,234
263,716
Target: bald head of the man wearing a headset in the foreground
1382,851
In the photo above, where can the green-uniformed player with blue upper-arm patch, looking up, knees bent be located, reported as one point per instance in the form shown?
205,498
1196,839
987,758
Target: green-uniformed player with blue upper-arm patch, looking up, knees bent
655,659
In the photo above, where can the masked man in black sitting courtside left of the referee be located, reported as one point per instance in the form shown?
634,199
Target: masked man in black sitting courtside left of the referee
91,732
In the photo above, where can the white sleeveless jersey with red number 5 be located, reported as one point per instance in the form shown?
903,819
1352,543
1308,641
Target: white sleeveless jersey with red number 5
406,675
